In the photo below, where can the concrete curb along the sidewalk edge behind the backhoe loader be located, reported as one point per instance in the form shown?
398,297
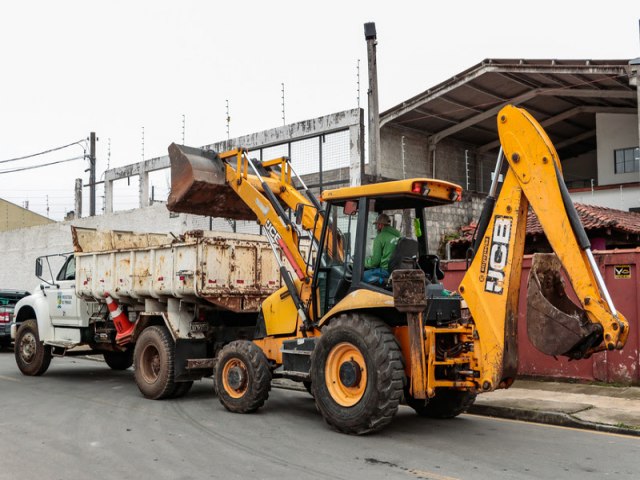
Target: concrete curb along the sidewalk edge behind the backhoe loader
548,418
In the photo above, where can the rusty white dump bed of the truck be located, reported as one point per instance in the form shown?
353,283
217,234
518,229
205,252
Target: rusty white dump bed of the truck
232,271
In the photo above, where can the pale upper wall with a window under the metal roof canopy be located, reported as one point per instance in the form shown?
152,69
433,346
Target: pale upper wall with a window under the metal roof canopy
615,131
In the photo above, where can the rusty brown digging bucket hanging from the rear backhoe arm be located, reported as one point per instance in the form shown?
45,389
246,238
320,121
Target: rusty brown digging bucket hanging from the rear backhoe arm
555,325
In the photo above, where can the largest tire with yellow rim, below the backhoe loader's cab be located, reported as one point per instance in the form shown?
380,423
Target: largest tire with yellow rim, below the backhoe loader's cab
356,374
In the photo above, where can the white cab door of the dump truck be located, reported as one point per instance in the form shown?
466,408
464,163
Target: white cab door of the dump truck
63,302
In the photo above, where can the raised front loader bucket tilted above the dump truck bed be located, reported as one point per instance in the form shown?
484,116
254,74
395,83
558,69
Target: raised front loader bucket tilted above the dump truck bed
198,185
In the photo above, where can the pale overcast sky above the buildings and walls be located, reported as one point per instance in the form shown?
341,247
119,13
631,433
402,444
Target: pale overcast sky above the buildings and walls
118,67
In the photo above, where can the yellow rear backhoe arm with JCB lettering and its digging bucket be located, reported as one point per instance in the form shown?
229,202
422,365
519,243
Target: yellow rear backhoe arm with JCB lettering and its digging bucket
491,286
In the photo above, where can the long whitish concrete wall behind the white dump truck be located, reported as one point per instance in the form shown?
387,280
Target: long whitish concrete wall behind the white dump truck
21,247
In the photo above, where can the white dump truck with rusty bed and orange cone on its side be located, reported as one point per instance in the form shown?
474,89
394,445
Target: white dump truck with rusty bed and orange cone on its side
151,299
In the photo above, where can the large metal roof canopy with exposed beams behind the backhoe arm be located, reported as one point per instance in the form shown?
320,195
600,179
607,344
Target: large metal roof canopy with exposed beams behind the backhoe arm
563,95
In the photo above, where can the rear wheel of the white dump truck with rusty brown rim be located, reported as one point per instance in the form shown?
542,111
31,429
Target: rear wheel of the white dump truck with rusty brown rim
154,363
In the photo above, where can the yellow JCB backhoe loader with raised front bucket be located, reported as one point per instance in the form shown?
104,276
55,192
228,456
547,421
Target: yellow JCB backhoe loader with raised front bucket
363,348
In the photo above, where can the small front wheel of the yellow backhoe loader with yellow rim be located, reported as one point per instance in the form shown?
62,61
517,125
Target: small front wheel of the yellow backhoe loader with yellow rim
243,377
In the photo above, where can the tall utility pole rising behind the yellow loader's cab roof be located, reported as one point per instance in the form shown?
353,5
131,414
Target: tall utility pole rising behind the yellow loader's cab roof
374,114
